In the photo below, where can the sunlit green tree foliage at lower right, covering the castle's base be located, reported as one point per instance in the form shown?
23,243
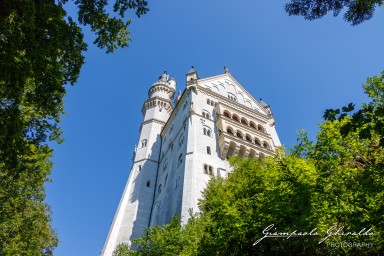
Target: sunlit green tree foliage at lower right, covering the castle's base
318,187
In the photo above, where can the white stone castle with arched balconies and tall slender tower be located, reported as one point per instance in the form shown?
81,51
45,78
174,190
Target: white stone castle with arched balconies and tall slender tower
184,143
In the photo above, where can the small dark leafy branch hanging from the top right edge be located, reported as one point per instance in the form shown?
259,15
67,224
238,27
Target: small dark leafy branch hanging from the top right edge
357,10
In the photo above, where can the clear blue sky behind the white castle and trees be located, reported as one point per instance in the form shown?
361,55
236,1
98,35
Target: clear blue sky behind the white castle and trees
298,67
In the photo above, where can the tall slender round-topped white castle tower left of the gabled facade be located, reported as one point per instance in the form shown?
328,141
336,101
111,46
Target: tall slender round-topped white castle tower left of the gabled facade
134,210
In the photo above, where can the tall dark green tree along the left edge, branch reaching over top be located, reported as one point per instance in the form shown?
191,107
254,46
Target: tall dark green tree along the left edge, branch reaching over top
41,51
